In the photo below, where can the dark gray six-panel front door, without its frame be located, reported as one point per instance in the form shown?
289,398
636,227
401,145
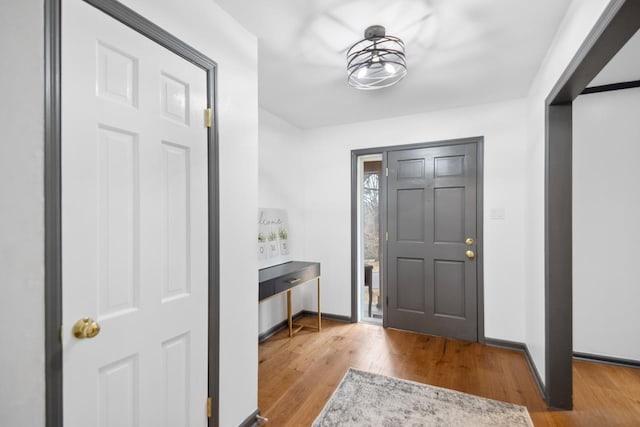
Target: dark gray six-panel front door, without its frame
431,210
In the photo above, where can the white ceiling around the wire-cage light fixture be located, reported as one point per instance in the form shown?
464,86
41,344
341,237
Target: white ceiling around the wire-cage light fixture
459,52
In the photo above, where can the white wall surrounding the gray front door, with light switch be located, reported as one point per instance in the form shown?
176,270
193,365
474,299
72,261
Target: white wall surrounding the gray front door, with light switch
327,157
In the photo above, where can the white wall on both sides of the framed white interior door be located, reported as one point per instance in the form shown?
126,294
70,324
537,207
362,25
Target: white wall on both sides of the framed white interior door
205,26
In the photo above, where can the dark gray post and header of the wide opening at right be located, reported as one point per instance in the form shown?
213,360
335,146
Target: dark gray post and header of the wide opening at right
618,23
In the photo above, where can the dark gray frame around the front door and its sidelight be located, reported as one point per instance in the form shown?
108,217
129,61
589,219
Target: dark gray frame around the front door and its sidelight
479,141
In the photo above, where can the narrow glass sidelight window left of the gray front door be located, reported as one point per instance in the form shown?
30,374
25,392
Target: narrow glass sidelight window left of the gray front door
369,243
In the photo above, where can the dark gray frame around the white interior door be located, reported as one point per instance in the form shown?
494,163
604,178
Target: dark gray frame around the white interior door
52,196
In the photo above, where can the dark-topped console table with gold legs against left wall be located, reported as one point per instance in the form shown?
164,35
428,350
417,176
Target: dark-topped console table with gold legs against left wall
282,278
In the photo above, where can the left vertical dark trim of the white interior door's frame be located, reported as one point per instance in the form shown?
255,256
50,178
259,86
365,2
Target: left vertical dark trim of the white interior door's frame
52,216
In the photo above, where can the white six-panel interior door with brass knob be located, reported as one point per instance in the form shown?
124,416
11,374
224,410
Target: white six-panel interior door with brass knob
134,227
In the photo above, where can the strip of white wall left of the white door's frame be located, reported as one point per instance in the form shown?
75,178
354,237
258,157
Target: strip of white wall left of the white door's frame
21,215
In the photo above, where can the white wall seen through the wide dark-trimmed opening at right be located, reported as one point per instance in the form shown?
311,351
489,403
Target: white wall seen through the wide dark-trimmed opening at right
606,209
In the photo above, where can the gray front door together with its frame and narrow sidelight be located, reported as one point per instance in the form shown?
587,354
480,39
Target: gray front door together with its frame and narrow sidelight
430,261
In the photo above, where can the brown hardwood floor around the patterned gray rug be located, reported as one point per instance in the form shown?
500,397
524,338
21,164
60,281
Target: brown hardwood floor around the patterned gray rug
298,375
